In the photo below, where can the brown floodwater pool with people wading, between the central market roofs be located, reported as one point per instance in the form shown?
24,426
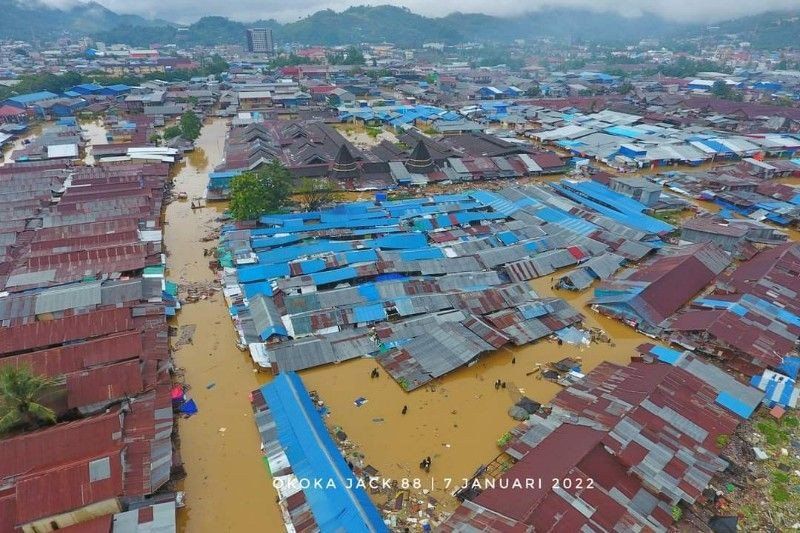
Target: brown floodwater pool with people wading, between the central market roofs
457,421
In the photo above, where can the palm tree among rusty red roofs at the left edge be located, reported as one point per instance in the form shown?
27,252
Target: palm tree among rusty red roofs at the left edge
21,391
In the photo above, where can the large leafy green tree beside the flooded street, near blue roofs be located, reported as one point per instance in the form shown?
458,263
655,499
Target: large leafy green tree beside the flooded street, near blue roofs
264,191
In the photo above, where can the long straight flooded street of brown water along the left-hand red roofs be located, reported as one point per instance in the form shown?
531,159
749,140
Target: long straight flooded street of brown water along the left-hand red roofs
227,487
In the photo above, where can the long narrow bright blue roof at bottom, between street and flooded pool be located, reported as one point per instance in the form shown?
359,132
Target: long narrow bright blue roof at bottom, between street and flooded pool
313,455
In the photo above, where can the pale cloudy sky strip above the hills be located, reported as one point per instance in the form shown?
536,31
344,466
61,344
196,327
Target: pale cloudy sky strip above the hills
289,10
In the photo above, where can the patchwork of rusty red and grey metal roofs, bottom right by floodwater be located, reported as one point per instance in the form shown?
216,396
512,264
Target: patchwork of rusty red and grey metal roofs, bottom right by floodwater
644,433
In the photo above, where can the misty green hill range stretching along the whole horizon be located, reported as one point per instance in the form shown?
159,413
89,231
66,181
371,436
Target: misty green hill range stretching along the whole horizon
367,24
